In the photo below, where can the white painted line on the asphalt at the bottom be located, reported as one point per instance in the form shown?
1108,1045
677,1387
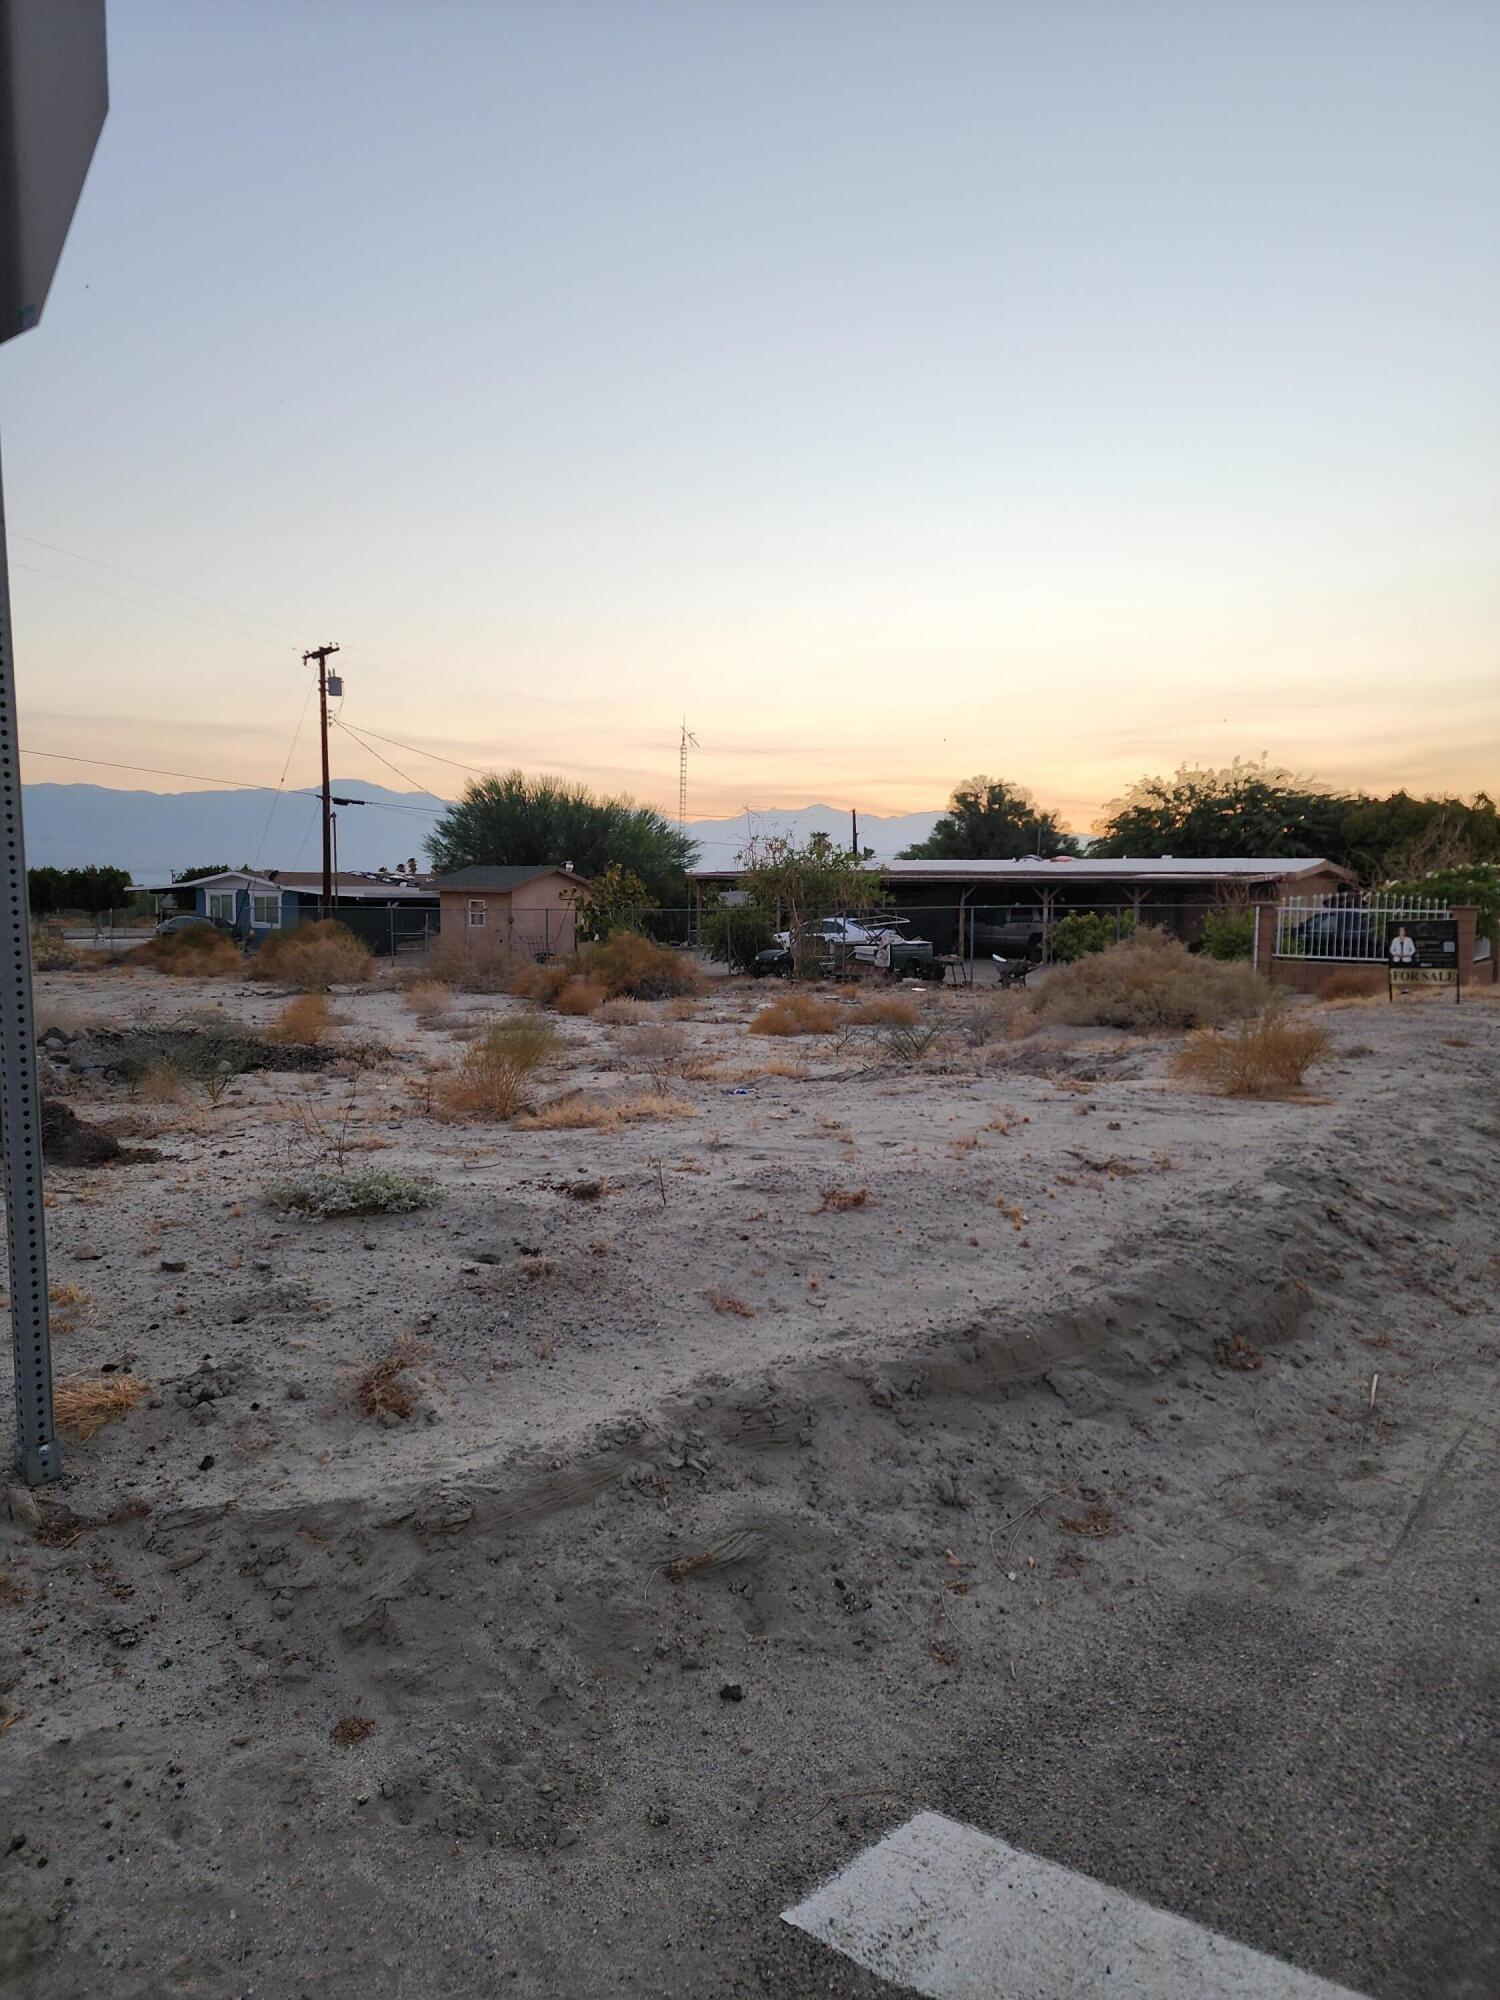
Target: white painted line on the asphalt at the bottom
957,1915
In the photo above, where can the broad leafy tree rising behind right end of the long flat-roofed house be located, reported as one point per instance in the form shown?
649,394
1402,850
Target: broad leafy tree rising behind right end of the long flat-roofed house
1243,811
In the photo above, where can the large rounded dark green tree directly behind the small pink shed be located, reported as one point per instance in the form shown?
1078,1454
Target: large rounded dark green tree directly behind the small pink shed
511,819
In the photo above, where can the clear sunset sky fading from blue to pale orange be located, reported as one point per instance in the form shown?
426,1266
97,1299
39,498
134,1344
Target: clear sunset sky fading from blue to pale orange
1051,389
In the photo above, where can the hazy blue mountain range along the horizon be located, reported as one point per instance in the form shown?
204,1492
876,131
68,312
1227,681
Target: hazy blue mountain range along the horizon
159,833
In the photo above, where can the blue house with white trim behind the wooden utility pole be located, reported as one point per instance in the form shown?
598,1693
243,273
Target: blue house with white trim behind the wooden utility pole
389,911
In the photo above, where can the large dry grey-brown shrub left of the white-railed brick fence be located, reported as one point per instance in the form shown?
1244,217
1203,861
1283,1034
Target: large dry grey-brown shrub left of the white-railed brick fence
1147,983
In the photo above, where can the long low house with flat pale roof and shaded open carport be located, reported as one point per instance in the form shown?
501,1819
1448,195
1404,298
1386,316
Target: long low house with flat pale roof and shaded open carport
961,905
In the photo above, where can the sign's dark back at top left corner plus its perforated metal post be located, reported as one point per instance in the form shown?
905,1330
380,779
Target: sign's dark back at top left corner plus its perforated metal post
53,101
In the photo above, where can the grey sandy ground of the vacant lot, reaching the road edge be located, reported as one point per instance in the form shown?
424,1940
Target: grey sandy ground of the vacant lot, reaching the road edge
1113,1473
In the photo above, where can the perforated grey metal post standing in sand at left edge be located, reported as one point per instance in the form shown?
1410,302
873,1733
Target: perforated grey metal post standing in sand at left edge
39,1457
